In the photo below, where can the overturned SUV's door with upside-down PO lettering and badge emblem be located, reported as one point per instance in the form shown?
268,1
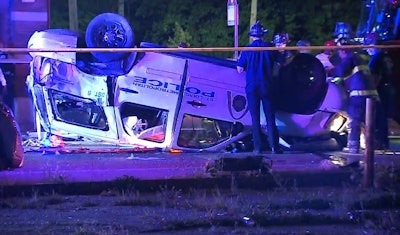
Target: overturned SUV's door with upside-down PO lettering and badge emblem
213,101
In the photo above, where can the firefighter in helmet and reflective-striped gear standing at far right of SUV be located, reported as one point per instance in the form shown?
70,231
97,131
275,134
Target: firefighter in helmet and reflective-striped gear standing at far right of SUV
353,72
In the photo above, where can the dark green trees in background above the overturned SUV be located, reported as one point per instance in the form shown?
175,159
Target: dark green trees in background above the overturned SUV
203,23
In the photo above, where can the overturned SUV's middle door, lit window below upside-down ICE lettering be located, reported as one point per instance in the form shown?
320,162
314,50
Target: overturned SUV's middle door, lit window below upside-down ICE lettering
148,97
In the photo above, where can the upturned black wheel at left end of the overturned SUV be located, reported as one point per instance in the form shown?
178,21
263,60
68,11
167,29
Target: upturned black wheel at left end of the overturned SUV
109,30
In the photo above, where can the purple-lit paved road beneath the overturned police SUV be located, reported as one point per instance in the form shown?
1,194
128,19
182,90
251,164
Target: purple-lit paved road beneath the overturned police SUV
104,164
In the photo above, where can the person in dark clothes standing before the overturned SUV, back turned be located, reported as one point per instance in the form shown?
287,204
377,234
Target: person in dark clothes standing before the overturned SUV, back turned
260,86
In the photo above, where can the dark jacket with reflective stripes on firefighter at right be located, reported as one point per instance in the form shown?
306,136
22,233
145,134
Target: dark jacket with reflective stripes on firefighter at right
354,72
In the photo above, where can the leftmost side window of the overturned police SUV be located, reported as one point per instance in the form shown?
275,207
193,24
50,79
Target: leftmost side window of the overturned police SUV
77,110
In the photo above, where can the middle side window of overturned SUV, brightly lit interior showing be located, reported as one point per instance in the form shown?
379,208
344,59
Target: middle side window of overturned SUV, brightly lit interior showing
144,122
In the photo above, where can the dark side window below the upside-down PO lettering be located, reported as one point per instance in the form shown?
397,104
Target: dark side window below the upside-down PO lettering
201,132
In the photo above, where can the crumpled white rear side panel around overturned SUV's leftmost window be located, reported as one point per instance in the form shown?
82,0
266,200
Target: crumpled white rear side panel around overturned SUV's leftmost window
70,102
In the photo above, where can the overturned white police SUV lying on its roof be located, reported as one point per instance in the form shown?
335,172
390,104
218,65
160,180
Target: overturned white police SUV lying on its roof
170,100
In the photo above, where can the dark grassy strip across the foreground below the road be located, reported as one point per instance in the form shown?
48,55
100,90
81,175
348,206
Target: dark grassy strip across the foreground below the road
169,208
